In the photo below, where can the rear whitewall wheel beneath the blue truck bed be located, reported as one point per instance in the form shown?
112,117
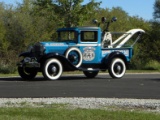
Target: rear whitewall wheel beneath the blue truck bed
117,68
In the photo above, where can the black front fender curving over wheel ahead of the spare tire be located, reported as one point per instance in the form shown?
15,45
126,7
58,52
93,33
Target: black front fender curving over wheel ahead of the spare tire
67,65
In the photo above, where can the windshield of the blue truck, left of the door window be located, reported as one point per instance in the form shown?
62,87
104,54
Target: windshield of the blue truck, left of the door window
67,36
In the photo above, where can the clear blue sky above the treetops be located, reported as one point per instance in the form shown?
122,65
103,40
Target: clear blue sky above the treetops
141,8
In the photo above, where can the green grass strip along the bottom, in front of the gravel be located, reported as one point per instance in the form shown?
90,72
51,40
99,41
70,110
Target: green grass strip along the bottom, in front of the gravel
62,113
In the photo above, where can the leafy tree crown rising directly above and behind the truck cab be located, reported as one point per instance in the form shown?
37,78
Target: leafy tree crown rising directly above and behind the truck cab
68,13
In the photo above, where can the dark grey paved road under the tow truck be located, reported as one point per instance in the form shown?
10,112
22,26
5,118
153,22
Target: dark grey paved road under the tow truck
146,86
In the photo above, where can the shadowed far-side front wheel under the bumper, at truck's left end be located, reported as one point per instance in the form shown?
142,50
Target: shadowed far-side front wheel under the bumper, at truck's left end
27,73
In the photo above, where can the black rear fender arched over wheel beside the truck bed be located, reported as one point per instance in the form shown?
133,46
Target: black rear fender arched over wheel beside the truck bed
116,54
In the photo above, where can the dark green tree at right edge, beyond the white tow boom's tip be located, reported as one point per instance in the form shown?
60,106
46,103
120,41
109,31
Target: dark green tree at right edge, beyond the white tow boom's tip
149,45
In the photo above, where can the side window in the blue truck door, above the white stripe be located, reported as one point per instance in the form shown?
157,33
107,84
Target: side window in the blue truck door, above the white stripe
89,36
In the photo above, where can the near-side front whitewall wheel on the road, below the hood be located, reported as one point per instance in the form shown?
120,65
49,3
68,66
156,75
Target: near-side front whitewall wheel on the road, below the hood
52,69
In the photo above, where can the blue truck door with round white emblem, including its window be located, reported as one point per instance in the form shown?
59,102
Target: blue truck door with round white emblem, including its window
89,46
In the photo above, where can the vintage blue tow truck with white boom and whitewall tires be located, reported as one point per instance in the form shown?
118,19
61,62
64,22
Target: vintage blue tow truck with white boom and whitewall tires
87,49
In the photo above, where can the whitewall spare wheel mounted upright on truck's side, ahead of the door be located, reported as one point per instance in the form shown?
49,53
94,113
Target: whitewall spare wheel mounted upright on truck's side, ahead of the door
74,55
